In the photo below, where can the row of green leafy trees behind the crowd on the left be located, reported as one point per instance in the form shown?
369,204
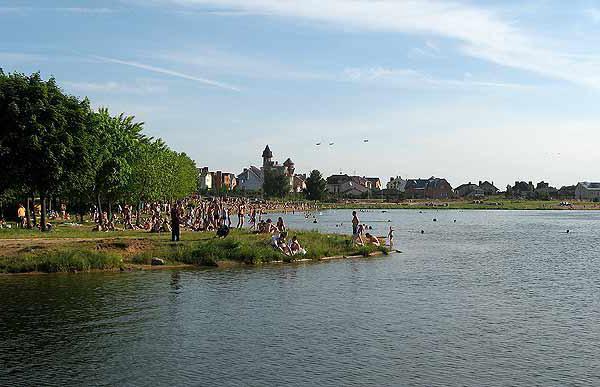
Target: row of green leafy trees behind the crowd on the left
53,145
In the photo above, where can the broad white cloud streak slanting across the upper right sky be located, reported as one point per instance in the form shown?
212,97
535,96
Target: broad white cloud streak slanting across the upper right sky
482,33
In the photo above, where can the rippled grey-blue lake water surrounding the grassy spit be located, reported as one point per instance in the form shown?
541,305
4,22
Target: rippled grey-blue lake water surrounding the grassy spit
497,298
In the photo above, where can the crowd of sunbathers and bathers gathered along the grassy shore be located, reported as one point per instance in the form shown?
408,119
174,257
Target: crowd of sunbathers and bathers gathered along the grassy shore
209,214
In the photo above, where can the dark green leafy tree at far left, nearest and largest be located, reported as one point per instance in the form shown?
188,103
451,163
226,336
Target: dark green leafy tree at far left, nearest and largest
43,134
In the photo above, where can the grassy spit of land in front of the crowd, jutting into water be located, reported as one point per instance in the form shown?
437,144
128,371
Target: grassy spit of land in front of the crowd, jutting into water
72,249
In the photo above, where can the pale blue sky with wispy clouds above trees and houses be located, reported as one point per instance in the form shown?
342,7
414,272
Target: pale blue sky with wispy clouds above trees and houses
467,90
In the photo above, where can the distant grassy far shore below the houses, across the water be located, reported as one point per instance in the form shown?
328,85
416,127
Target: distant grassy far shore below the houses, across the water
490,203
